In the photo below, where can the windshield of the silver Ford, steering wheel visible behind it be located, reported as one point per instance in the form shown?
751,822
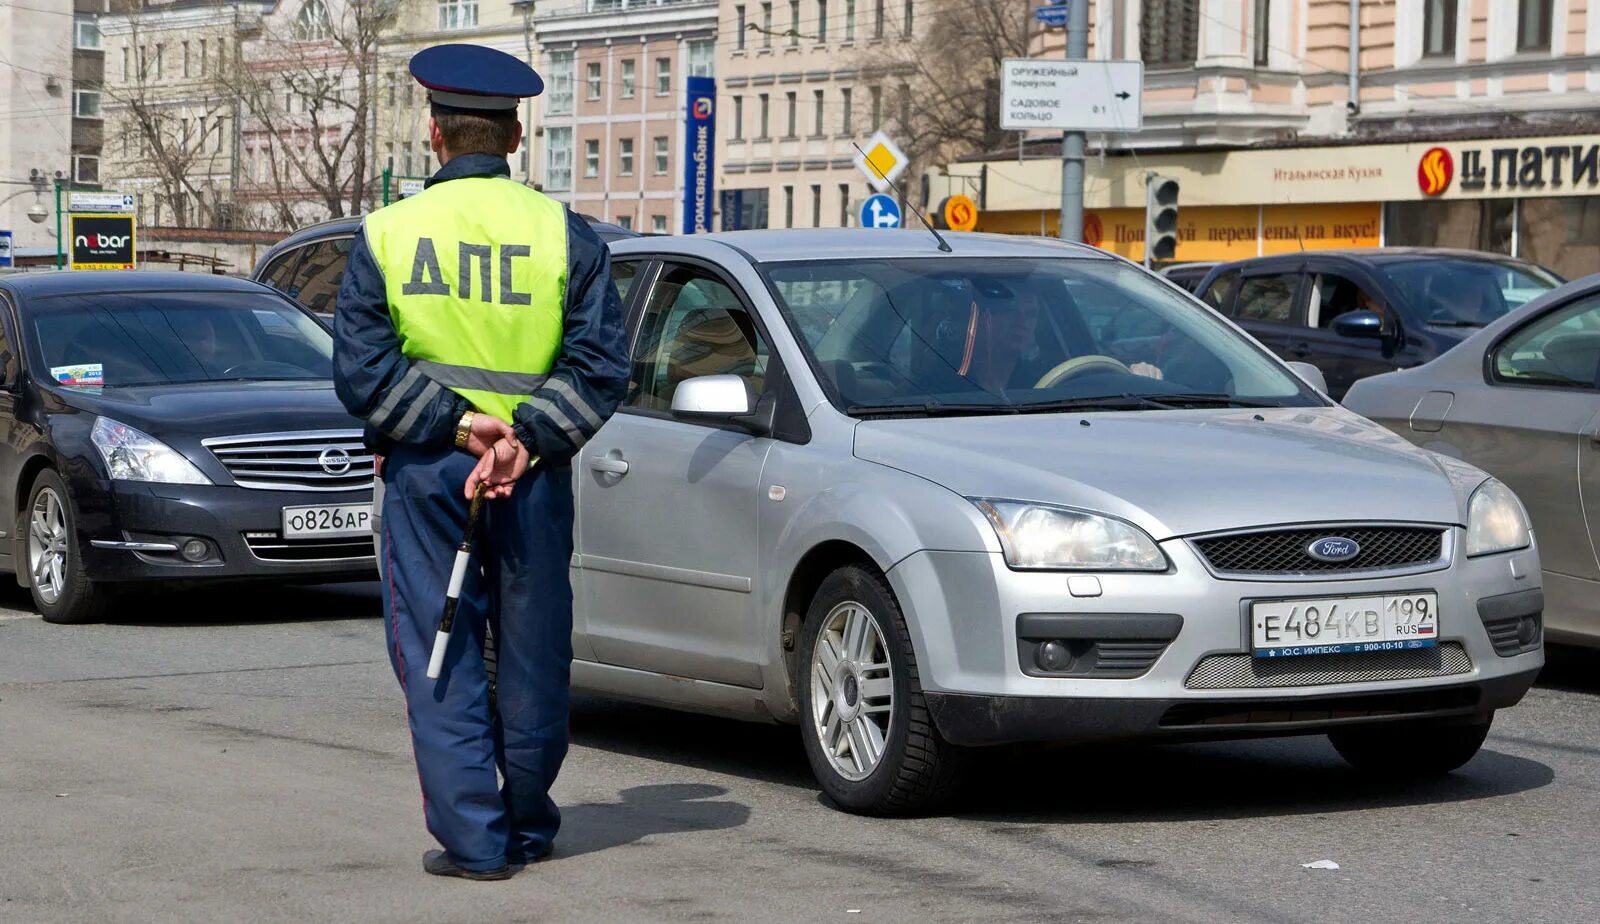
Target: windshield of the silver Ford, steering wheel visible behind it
1018,335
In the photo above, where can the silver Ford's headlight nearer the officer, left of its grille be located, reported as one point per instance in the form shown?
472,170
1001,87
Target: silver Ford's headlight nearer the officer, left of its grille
1039,538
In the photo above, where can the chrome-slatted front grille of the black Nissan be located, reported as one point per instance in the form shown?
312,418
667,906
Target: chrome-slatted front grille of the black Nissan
308,461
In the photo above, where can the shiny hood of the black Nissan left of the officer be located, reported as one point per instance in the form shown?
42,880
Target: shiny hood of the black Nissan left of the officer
218,408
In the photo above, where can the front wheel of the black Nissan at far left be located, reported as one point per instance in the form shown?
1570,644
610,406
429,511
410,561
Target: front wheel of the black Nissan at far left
57,579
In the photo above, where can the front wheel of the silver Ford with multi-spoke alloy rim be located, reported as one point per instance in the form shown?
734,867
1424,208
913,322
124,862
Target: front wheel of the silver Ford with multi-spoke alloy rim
863,767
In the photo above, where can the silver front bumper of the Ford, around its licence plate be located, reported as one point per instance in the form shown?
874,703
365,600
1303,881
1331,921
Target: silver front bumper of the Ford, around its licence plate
1183,667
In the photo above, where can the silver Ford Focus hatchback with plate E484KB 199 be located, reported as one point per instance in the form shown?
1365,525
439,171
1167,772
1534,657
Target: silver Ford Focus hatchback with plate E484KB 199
921,501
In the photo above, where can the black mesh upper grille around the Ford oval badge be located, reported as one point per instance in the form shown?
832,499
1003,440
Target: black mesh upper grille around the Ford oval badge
1284,552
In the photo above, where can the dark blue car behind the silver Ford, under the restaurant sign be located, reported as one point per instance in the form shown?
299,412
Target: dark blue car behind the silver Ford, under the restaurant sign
1362,313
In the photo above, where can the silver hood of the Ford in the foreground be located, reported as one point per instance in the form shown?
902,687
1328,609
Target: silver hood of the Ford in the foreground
1180,472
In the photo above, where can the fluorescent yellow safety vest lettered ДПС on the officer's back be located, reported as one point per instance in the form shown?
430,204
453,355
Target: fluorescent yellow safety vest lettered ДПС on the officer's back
476,274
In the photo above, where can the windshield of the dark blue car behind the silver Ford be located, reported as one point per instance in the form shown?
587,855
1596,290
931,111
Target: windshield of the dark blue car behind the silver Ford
1468,293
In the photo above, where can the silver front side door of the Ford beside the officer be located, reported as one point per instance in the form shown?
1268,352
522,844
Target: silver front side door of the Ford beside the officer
668,508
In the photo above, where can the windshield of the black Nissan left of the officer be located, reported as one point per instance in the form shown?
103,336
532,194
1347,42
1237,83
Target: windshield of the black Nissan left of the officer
175,338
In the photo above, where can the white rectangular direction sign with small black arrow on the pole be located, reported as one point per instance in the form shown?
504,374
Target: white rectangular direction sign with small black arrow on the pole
1071,95
